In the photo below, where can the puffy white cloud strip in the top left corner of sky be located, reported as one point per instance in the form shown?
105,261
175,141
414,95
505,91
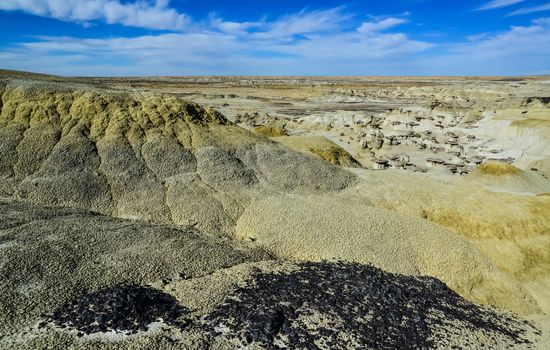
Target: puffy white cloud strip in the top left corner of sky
143,14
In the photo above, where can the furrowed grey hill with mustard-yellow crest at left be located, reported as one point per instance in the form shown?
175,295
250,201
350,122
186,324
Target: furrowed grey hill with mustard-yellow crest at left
141,156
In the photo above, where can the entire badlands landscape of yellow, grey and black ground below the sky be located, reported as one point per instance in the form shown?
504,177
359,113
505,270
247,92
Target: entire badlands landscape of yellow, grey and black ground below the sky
274,213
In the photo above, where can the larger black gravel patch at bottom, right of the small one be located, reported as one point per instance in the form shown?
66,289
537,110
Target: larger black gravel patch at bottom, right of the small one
358,307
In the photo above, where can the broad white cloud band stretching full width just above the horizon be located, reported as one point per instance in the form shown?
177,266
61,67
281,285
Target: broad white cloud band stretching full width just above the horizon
306,43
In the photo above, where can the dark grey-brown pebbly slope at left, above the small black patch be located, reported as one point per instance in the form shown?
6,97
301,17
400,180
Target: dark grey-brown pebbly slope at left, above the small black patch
49,255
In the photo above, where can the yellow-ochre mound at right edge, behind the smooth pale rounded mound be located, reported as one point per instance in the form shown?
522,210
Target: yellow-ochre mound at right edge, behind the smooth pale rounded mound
511,230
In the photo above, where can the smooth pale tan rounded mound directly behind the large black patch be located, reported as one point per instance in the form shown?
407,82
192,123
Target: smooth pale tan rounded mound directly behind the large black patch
327,227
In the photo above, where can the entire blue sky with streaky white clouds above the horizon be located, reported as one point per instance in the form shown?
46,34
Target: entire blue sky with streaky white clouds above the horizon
192,37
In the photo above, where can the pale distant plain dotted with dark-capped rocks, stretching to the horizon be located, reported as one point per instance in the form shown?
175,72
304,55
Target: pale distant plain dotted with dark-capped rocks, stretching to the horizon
459,122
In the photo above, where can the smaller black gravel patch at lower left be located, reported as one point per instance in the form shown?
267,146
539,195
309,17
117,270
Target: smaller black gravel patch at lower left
123,308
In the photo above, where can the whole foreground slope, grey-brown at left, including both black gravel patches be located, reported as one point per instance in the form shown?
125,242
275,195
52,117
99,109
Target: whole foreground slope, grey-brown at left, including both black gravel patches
79,280
